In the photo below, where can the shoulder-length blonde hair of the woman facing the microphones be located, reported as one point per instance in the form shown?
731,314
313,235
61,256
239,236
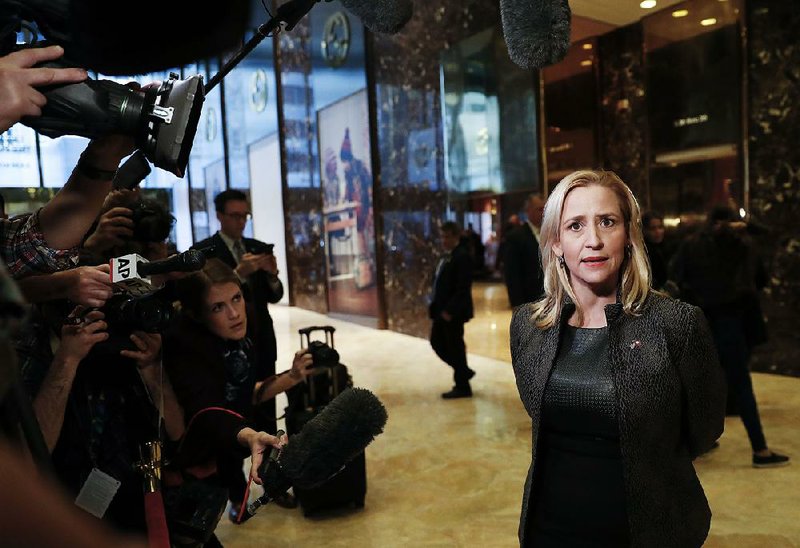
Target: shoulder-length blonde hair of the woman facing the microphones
635,279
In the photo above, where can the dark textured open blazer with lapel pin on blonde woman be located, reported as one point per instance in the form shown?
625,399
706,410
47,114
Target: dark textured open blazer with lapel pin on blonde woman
670,393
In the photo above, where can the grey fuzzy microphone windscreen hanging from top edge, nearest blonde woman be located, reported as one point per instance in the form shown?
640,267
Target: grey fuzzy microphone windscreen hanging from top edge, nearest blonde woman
537,32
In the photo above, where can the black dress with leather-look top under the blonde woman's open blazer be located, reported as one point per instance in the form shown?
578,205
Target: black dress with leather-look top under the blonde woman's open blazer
578,497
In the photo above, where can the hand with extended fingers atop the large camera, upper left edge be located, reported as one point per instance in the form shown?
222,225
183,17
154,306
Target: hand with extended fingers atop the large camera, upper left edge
18,96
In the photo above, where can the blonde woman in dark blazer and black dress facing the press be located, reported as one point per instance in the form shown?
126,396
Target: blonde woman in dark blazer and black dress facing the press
622,384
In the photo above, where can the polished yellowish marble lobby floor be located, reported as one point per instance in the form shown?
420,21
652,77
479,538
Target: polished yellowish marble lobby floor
450,473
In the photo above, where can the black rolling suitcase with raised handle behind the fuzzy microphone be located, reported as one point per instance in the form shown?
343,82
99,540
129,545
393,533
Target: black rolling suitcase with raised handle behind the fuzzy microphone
328,378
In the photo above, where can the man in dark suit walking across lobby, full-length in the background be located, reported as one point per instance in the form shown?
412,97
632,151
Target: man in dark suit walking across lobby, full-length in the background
451,308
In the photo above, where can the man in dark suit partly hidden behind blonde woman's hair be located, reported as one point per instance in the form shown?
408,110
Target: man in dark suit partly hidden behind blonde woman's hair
522,267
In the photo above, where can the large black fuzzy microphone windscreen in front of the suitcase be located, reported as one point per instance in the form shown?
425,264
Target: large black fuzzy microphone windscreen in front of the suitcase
342,430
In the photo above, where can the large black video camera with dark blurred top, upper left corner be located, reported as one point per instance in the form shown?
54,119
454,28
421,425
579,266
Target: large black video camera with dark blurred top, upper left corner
162,120
